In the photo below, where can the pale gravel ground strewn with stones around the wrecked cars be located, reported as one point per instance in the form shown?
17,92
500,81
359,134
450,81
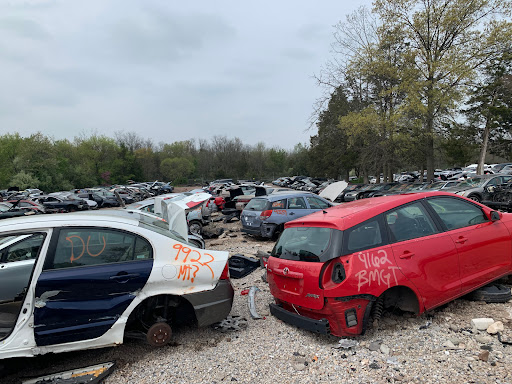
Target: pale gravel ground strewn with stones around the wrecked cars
438,347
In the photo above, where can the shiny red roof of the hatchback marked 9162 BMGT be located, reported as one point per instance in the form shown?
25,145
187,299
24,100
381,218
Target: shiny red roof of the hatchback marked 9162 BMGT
346,215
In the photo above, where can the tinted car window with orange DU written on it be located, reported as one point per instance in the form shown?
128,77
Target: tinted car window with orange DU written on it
85,247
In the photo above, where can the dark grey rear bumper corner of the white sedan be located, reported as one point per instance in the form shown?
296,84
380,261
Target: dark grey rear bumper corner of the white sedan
212,306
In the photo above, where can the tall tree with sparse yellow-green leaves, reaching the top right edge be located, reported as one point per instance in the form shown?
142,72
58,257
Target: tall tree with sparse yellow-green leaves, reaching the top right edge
449,40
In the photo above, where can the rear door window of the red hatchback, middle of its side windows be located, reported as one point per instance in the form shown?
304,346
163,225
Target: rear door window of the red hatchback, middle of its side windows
409,222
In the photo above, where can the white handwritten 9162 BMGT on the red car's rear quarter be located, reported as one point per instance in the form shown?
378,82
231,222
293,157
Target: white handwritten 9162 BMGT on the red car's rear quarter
375,270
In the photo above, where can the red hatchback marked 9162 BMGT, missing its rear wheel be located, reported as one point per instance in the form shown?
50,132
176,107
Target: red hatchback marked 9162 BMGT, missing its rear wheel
334,270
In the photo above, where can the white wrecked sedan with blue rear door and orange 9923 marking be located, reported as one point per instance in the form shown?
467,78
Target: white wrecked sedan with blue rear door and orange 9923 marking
89,279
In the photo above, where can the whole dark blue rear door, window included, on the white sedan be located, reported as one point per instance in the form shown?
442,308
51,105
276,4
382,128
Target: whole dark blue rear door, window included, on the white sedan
89,278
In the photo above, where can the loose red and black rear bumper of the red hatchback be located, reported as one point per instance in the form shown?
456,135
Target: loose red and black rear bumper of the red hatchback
344,316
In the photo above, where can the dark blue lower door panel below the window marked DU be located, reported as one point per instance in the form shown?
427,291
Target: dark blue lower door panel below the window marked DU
83,303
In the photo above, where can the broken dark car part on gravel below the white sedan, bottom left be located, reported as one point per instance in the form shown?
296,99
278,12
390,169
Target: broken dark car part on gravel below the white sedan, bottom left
89,375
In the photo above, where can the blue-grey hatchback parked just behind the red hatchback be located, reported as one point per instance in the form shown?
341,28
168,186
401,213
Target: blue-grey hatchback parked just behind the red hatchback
265,216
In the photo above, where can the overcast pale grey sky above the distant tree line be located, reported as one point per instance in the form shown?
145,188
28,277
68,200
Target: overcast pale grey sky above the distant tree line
167,70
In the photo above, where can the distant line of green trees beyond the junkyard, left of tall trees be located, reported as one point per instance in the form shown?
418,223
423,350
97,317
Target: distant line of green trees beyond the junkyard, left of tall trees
38,161
